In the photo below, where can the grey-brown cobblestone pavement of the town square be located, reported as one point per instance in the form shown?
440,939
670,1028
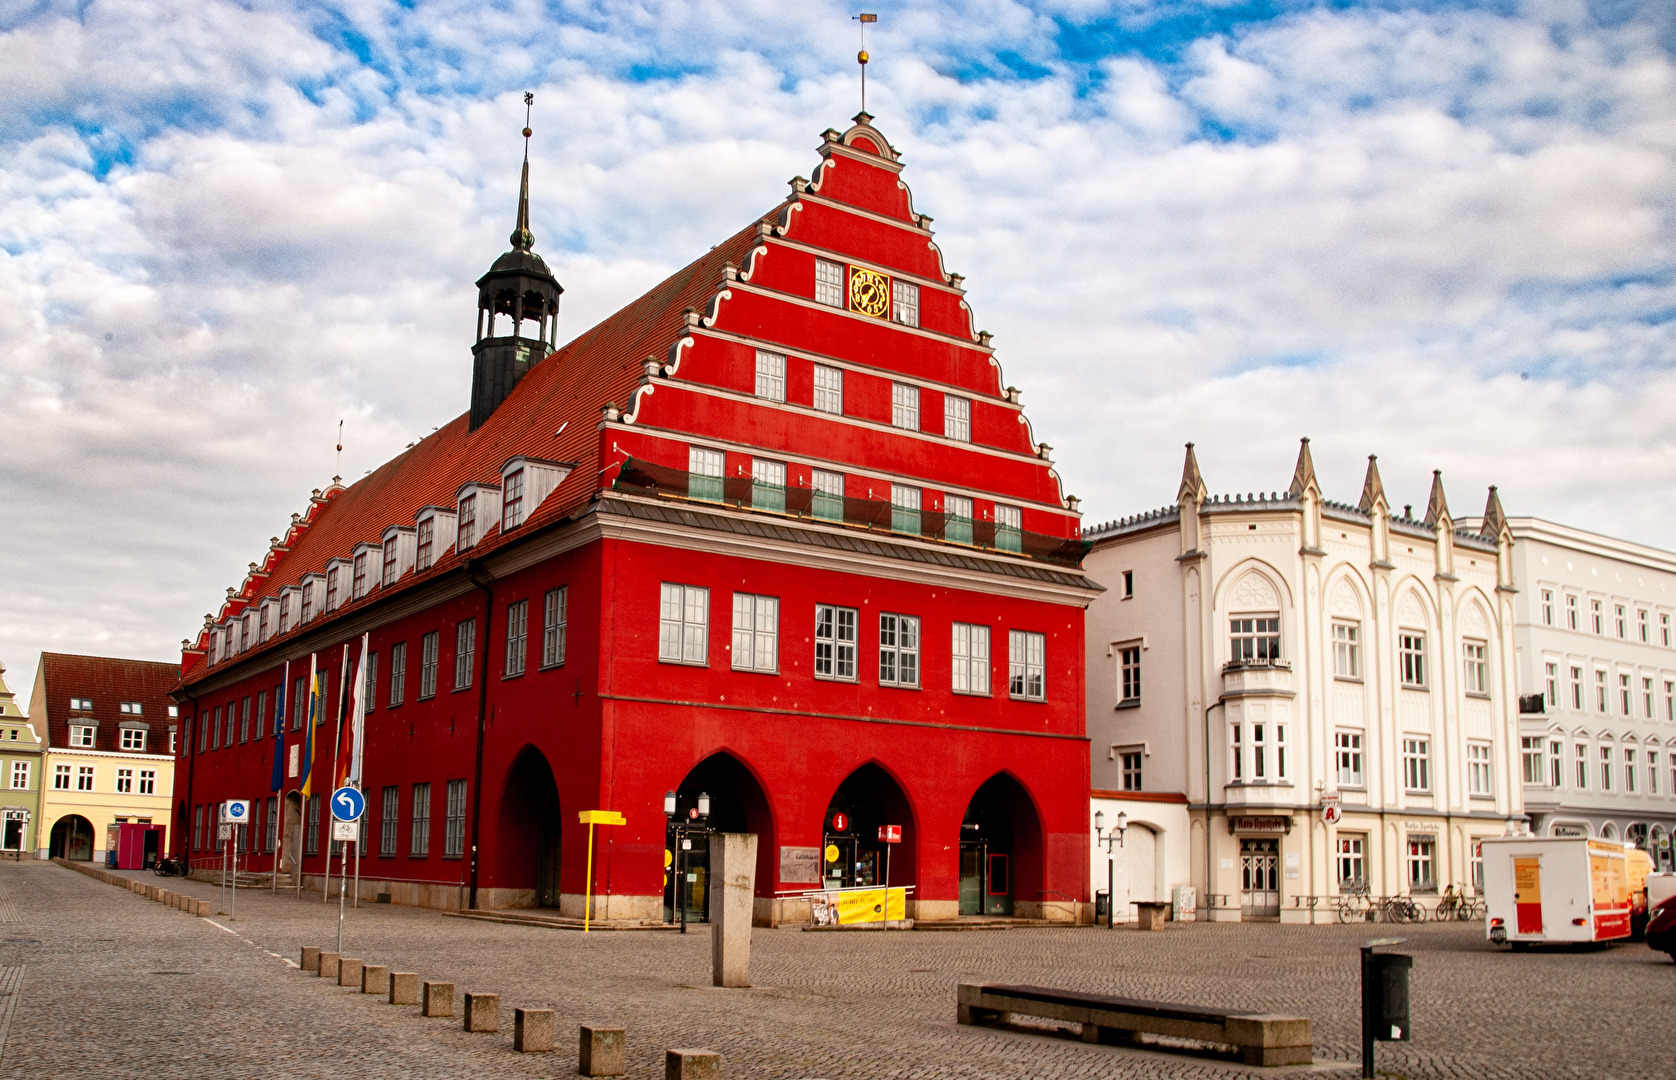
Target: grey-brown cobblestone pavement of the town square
115,985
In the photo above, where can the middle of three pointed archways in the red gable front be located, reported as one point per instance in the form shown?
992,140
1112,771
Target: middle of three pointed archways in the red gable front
867,801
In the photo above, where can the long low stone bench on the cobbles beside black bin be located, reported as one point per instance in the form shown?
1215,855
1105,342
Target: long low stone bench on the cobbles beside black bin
1261,1039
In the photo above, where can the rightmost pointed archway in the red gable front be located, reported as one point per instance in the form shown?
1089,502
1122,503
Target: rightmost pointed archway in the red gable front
1001,851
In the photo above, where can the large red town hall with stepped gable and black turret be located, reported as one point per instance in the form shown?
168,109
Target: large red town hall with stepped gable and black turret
775,532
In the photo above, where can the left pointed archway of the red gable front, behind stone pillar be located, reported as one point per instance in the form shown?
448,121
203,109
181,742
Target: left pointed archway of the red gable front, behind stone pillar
738,804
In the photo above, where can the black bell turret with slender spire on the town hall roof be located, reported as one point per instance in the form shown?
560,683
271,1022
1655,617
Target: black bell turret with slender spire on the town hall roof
517,291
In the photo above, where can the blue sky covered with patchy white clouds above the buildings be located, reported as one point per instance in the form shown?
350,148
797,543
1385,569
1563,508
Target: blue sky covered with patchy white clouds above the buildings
1437,232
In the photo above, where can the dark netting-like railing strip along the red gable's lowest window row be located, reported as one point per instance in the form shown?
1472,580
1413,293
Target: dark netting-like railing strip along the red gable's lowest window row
747,494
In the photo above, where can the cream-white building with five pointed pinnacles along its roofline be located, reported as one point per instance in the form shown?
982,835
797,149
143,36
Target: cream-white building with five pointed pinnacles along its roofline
1265,665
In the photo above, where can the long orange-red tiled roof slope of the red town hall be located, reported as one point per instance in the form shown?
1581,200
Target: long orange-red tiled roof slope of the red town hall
554,413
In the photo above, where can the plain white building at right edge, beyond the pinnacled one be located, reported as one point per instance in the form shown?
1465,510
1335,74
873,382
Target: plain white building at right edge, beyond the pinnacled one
1598,678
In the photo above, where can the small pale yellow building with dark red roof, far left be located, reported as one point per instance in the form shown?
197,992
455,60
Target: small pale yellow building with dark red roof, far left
110,759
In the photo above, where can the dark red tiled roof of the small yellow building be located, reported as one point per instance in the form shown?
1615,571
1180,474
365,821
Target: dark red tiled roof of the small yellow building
108,683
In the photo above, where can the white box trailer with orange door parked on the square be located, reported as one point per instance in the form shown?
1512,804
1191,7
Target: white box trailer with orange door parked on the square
1554,890
